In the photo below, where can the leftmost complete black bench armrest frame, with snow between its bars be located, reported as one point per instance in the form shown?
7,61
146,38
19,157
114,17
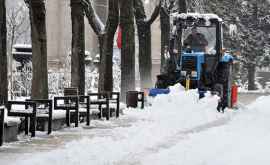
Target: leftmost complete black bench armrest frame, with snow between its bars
27,110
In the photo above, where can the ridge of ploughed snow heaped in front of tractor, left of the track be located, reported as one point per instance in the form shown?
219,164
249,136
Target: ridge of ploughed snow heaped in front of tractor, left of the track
169,115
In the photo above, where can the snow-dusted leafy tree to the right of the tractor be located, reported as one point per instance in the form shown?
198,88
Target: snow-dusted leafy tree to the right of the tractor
250,21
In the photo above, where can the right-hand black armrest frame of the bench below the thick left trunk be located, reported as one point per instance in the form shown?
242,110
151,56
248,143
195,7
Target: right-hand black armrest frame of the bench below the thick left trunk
44,109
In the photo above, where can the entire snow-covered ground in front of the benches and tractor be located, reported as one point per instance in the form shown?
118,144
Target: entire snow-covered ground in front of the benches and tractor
177,129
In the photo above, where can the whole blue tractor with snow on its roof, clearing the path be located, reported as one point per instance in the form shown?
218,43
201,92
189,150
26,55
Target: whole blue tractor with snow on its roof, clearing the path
198,63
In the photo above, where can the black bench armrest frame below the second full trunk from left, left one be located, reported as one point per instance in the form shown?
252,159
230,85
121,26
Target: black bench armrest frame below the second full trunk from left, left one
68,103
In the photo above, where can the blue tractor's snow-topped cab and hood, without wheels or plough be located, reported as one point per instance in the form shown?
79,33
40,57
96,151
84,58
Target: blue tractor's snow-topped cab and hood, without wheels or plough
201,42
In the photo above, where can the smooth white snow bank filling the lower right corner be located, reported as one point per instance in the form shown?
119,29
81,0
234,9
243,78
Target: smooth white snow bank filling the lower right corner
245,140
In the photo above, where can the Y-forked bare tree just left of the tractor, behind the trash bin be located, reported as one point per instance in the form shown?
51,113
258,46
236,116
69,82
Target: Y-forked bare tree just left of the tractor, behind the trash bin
144,35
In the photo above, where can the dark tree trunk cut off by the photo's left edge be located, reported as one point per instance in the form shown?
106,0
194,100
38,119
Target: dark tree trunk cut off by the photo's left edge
3,54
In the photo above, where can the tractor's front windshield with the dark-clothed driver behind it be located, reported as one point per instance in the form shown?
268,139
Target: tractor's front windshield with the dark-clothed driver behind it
200,39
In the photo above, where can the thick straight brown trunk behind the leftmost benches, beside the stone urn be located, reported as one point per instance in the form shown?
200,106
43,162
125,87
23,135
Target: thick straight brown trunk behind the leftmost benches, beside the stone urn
39,49
